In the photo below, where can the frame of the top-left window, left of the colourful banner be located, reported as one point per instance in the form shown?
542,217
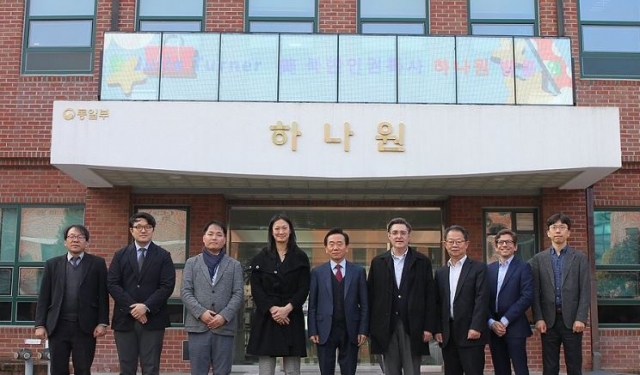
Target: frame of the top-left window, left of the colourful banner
26,49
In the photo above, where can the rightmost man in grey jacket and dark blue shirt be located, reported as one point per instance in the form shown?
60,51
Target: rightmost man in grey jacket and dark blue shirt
562,294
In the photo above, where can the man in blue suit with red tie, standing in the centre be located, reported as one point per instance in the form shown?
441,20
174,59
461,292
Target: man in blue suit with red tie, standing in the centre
338,307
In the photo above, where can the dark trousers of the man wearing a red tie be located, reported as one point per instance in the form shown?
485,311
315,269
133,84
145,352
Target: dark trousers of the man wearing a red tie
347,353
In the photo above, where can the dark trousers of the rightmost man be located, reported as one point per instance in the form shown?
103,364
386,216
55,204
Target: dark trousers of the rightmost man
572,343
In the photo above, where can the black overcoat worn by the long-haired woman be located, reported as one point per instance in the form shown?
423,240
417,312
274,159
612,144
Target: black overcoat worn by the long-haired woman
275,283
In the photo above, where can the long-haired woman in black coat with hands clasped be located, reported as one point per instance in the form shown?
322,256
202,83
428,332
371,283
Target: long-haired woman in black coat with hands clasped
280,276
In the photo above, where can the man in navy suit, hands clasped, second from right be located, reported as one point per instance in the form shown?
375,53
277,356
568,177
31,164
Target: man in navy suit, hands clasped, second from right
511,294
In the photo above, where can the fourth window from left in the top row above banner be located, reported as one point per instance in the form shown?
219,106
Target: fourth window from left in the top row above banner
405,17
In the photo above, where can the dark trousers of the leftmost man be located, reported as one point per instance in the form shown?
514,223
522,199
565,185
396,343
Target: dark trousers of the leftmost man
69,340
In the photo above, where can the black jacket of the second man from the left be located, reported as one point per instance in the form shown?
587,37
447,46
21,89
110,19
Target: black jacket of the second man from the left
153,285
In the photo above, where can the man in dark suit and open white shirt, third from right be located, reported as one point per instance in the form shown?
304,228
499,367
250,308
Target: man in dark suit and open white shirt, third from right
462,300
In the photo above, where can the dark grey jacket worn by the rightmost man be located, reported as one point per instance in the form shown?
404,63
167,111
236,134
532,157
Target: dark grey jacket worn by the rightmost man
575,288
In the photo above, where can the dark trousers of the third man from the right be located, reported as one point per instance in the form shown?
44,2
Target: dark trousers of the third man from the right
460,360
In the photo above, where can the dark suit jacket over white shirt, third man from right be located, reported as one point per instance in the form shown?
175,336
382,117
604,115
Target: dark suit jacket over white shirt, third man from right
470,303
